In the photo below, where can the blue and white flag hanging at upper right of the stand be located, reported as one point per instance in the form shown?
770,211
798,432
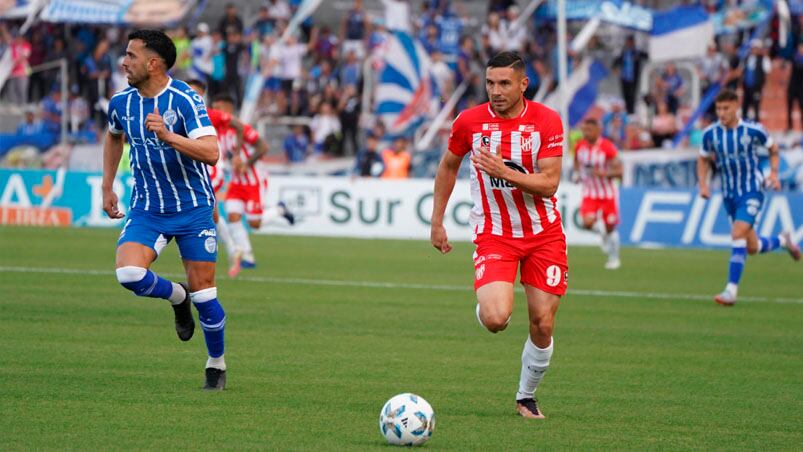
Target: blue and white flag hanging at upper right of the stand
682,32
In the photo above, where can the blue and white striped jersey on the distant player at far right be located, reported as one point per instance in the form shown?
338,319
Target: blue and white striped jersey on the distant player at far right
736,156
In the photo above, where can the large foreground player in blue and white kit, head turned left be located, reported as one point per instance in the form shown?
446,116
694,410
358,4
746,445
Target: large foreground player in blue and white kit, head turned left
172,141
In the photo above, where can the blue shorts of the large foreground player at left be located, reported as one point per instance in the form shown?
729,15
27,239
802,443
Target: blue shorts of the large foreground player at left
194,231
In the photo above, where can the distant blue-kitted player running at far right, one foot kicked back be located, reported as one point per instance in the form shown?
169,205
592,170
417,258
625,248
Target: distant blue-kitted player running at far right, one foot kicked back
732,145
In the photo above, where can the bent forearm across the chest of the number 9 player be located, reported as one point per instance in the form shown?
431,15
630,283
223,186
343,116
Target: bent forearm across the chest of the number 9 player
544,183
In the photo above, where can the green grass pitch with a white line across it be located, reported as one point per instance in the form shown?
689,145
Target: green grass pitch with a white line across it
325,330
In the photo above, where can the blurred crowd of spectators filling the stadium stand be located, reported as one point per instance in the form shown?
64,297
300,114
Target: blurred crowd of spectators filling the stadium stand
318,72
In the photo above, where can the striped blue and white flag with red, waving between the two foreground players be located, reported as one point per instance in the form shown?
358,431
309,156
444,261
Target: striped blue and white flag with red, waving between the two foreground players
406,94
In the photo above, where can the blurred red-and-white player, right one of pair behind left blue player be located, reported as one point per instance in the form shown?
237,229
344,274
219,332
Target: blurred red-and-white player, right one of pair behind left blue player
244,196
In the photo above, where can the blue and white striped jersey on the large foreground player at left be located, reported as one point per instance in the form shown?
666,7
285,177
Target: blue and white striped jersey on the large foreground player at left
165,181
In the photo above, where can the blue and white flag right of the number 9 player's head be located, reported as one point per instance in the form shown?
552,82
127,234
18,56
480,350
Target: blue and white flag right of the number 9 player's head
581,88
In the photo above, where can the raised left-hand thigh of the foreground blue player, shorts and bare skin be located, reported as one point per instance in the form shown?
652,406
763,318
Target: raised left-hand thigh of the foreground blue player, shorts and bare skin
140,243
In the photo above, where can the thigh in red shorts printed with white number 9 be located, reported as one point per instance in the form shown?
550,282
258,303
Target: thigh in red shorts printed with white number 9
546,267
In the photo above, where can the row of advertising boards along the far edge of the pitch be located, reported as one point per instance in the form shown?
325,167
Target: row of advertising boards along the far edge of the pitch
376,208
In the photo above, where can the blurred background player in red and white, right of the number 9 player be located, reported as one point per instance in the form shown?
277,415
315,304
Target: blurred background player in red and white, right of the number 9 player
596,166
